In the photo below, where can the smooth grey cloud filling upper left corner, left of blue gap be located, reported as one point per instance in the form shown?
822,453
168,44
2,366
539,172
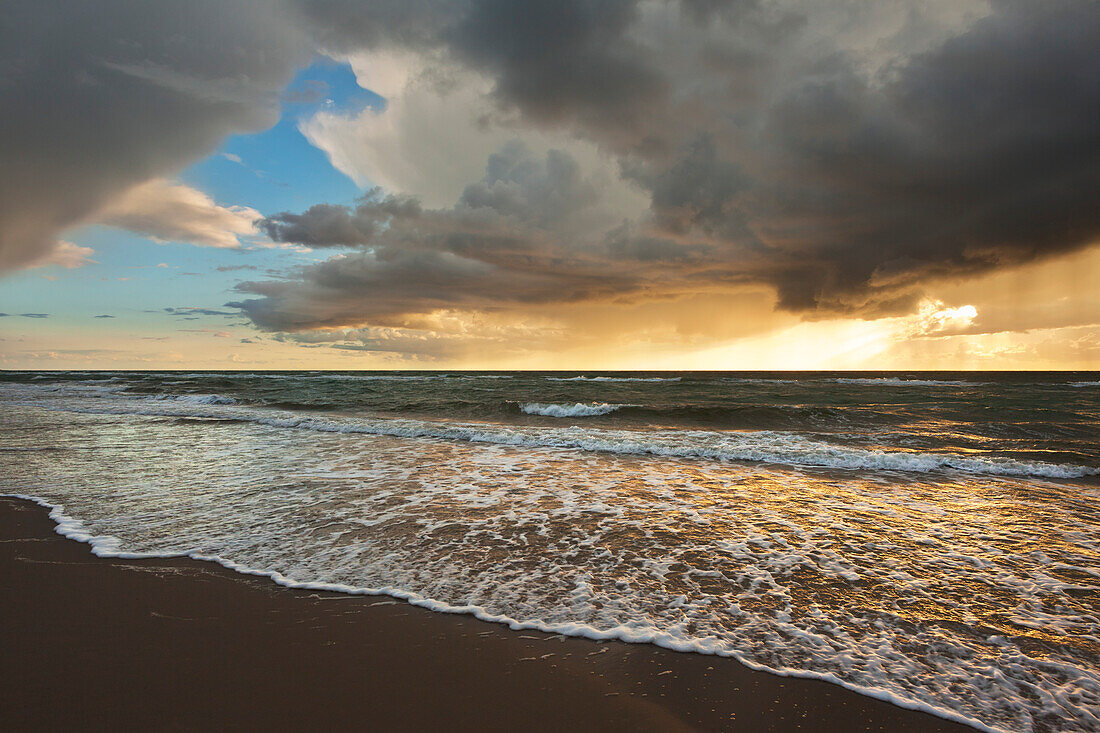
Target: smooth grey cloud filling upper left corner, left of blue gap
98,97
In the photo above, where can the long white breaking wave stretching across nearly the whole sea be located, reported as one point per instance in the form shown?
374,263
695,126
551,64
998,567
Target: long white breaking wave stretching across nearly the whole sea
761,446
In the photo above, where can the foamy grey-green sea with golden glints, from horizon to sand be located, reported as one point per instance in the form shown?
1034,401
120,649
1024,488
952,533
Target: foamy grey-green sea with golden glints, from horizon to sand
932,540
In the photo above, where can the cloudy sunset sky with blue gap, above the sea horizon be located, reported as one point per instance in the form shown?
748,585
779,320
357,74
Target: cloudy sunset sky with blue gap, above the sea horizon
566,184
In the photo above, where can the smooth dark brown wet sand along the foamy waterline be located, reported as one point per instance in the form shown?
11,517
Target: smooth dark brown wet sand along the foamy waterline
180,646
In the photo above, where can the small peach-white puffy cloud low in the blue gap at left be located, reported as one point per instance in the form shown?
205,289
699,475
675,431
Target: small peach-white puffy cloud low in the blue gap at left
173,213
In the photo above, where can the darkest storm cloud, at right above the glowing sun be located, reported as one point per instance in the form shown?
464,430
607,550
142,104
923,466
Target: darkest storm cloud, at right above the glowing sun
983,154
